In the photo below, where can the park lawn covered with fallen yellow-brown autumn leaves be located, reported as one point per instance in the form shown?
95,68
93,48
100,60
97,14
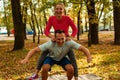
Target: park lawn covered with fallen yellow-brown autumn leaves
106,59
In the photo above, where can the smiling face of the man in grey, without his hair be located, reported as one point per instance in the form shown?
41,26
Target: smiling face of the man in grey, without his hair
60,38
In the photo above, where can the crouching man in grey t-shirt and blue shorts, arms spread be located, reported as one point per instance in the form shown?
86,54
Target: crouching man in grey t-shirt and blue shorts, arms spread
57,55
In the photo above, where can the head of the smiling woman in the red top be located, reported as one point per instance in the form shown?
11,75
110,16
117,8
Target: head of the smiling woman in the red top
59,9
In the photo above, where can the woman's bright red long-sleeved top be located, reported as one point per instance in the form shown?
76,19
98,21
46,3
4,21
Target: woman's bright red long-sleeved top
62,24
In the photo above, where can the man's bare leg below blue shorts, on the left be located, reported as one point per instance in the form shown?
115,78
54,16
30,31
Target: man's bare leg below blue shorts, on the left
45,69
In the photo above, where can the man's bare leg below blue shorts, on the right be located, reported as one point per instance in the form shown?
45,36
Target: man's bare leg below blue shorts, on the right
70,71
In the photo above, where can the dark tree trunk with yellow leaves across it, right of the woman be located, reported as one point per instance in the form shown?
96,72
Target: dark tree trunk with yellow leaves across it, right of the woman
93,23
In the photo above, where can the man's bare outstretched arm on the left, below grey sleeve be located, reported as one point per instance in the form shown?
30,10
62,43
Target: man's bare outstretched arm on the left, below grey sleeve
30,53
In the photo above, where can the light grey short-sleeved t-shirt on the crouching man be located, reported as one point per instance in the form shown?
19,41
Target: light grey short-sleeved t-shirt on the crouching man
56,52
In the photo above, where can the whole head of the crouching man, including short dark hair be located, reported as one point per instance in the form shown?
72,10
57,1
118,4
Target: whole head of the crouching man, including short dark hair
60,37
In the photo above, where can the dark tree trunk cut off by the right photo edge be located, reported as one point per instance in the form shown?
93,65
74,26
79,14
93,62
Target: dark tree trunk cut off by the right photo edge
116,13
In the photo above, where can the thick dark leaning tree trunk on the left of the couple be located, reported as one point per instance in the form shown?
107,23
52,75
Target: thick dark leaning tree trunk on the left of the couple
18,25
